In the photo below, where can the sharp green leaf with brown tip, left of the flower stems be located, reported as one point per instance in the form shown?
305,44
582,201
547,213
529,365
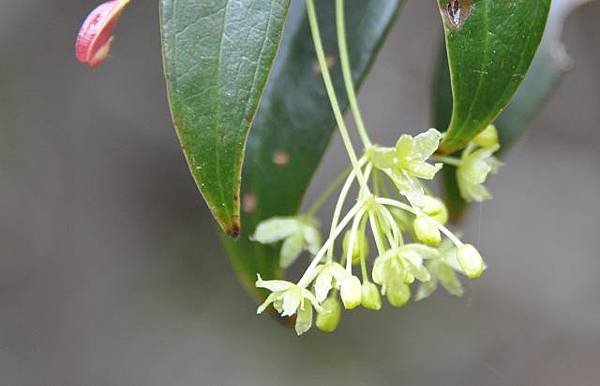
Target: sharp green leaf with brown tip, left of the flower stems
217,57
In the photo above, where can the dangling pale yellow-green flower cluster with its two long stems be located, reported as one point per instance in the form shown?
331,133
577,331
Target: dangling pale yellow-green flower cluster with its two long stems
394,209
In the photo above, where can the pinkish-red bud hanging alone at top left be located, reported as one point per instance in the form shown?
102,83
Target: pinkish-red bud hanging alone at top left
95,35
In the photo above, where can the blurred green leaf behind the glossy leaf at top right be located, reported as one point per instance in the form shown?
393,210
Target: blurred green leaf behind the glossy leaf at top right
547,69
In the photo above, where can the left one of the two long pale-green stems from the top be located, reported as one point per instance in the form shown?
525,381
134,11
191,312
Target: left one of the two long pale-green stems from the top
337,112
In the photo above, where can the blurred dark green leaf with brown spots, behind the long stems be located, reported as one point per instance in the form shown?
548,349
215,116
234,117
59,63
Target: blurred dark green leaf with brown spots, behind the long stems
294,124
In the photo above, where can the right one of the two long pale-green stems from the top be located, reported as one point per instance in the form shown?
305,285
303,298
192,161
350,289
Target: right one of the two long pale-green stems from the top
347,73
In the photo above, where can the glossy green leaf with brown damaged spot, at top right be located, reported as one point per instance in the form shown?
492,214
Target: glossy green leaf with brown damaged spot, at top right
490,45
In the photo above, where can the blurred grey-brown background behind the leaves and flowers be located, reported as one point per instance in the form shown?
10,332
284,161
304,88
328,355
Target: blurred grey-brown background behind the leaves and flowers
110,268
